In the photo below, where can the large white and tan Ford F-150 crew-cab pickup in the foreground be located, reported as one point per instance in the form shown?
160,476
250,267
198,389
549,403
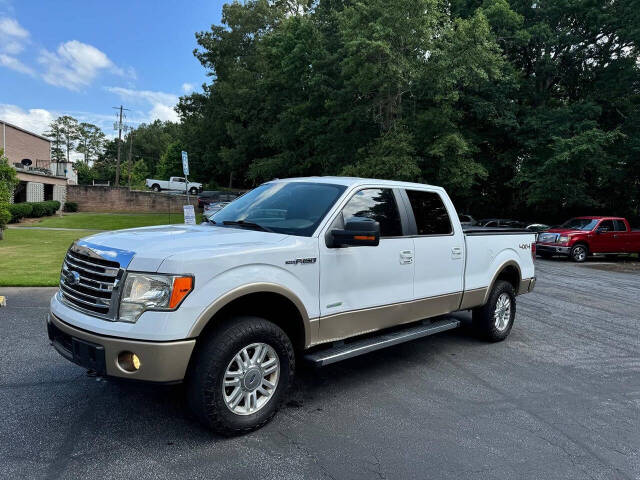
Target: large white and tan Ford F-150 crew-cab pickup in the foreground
318,268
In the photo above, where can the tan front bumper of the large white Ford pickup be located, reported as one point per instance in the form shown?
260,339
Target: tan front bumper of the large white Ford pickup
159,361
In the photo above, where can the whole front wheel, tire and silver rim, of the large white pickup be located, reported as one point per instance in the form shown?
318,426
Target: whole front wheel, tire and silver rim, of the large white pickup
240,375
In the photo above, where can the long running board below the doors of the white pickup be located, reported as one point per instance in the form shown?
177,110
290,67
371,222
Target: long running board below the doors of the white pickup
341,351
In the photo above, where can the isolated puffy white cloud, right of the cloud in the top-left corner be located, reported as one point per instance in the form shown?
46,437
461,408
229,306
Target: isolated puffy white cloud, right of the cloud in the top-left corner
74,65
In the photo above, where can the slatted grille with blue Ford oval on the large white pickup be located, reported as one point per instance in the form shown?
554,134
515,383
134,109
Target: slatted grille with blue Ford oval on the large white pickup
87,283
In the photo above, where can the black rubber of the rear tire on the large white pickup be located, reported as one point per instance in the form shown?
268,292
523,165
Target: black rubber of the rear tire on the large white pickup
484,321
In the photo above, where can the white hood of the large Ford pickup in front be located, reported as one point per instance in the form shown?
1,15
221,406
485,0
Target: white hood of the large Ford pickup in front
150,246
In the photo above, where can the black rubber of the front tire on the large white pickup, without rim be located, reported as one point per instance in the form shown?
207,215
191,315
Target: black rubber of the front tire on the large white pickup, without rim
207,371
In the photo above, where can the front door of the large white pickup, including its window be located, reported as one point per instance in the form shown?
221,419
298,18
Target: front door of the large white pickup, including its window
361,287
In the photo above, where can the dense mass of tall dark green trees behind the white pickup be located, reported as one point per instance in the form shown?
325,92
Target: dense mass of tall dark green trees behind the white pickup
496,100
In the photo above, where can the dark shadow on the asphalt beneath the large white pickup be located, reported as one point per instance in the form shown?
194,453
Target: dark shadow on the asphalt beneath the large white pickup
313,390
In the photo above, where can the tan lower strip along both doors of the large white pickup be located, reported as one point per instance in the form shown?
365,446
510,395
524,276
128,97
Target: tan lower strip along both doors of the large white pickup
358,322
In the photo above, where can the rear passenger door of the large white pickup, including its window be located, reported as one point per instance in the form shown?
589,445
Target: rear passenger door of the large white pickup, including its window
439,251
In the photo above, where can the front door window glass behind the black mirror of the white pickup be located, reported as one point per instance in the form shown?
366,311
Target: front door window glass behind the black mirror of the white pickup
378,204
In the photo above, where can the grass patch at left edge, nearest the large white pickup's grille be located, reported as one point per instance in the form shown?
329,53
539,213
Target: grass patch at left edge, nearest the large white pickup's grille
32,258
